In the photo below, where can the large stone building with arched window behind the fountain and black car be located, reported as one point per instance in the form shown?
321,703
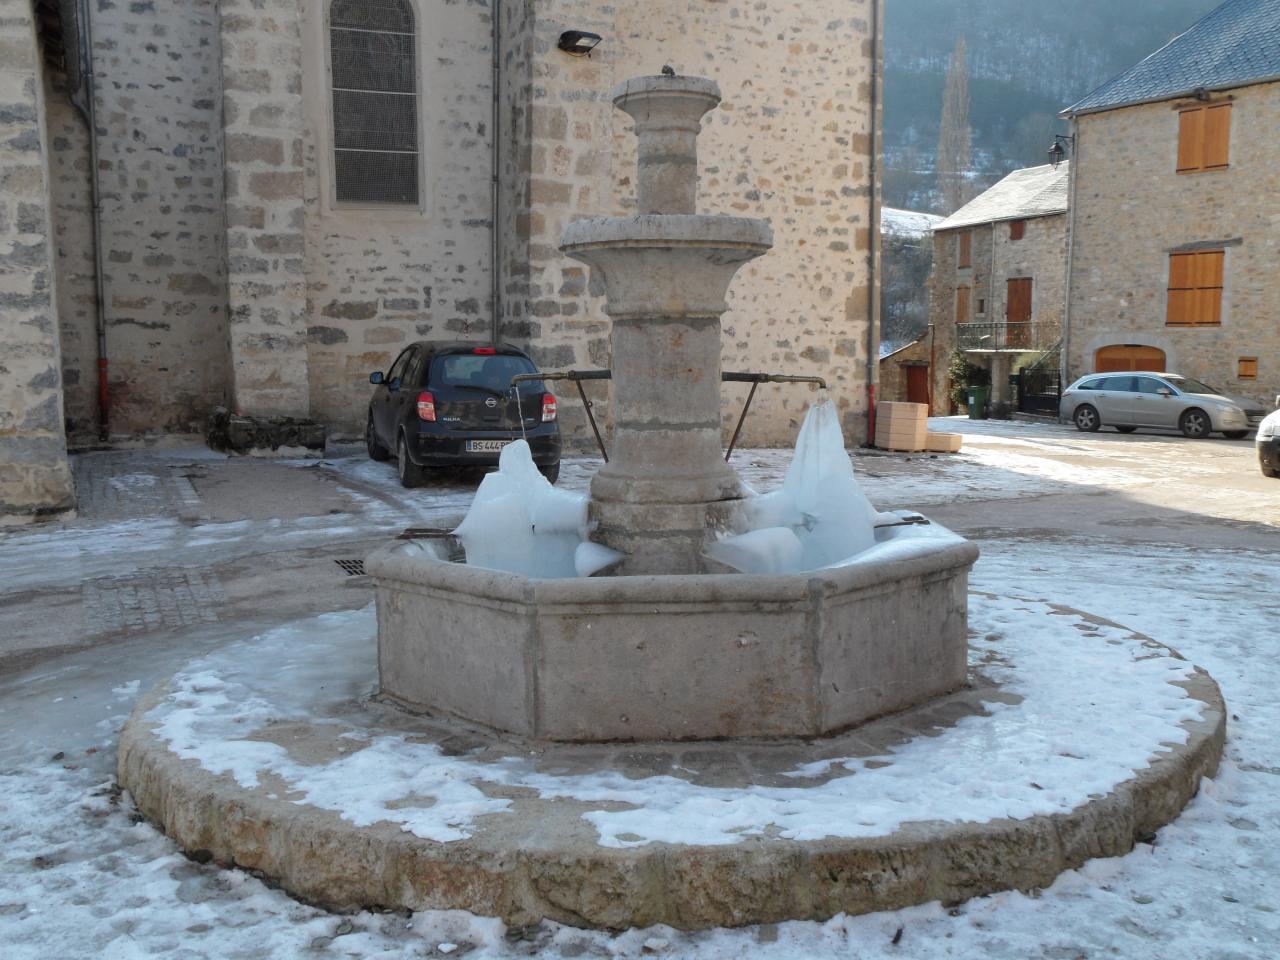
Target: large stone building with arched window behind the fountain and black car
290,193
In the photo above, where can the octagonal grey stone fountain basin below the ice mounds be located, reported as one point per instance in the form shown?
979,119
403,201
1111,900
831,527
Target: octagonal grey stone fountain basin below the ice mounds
676,657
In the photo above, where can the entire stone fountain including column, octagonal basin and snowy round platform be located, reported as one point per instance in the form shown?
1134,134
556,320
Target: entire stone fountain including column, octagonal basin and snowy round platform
670,743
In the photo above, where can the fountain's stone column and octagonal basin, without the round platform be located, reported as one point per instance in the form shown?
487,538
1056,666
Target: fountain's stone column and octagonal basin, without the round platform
671,647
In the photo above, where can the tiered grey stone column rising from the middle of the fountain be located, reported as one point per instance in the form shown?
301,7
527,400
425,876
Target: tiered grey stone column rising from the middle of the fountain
666,272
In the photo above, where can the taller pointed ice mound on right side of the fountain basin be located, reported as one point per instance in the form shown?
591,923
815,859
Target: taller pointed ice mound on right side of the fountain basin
819,518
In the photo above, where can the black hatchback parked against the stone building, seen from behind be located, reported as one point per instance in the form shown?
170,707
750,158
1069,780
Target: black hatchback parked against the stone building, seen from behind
451,404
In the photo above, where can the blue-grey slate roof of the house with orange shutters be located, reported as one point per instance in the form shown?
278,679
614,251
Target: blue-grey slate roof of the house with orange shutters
1235,45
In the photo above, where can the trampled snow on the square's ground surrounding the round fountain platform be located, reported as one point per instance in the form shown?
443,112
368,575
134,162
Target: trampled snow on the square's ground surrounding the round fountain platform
81,877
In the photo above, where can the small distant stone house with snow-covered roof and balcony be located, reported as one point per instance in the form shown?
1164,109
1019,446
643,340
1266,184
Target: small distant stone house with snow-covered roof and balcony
998,289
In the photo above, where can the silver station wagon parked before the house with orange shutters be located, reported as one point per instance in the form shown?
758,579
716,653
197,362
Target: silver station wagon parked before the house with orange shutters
1158,400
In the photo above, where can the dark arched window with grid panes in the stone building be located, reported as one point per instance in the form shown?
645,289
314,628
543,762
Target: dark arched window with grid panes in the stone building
374,80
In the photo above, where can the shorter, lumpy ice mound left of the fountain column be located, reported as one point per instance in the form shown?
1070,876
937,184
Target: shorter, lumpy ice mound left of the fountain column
522,524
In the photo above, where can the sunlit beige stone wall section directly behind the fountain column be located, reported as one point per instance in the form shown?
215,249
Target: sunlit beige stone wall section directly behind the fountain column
790,143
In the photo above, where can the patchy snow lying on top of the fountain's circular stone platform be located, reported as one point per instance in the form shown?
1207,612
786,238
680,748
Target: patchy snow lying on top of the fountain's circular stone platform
1063,744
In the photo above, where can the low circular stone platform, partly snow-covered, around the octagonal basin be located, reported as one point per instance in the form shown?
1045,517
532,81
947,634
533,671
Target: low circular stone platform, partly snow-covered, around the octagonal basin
1075,738
